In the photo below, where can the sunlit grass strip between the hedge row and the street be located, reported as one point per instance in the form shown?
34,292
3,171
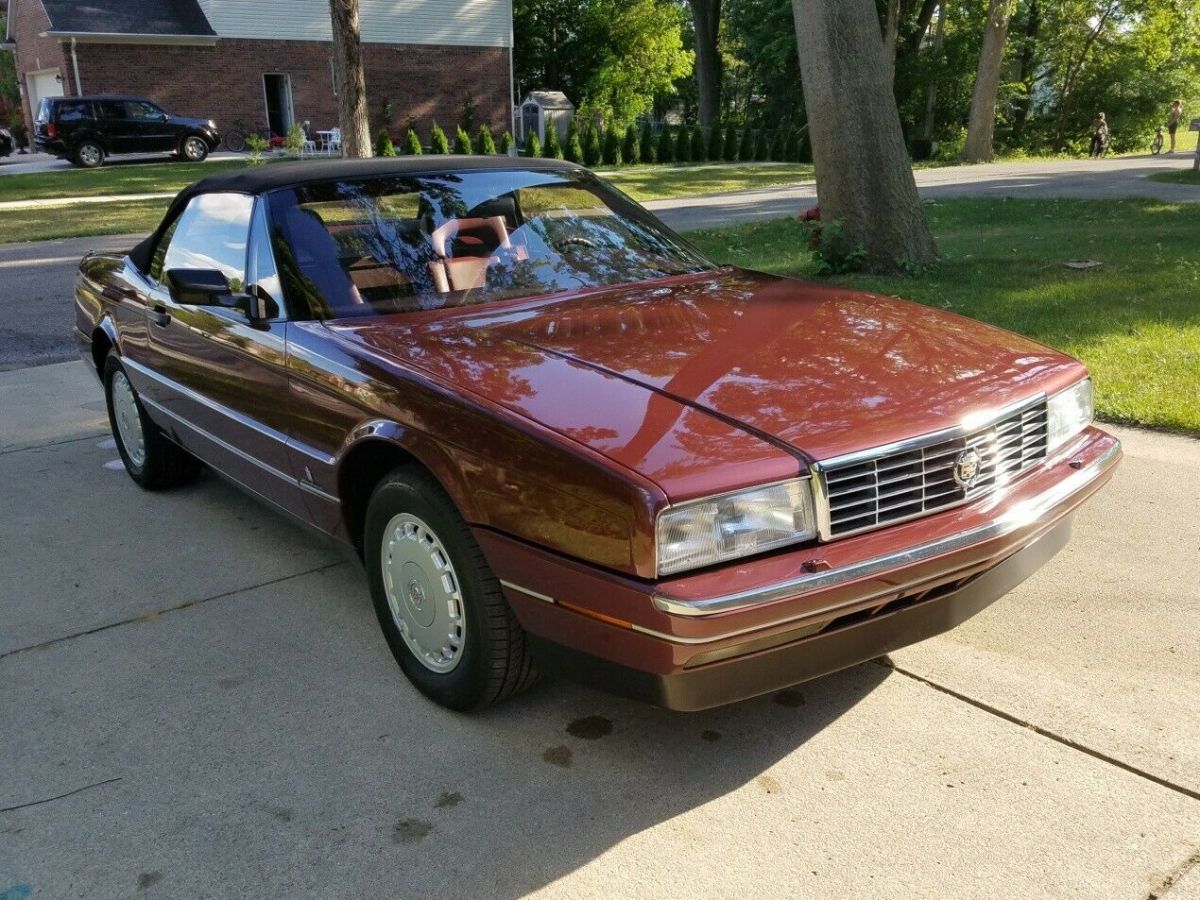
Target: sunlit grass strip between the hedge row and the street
659,183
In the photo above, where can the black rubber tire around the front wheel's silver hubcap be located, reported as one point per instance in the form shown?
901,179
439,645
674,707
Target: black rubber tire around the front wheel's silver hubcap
495,662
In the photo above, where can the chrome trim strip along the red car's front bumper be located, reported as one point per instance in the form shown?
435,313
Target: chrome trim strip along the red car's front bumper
1018,517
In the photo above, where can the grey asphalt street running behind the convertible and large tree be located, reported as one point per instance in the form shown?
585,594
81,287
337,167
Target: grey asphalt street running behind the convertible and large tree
37,279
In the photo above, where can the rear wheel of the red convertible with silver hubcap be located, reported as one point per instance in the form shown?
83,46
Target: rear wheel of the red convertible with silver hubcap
153,461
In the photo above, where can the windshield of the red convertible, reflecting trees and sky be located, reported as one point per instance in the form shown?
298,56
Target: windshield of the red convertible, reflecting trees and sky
415,243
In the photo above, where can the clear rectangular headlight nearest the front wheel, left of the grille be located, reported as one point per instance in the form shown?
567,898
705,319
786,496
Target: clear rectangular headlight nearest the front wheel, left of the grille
735,525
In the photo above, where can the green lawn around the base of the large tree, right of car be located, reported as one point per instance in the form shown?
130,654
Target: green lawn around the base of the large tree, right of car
1136,321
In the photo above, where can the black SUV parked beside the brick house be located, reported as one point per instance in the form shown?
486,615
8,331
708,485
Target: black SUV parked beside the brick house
87,130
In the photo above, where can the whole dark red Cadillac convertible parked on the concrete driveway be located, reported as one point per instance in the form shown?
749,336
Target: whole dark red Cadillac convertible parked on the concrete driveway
561,440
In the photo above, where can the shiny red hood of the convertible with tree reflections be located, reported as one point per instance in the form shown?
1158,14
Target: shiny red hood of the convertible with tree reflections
773,368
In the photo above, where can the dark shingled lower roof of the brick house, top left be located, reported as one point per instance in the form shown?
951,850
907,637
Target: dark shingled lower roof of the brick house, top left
158,19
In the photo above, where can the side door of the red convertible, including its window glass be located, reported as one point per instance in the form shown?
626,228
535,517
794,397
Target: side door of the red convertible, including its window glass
221,379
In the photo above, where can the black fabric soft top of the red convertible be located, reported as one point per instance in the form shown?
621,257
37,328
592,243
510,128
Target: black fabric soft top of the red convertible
291,175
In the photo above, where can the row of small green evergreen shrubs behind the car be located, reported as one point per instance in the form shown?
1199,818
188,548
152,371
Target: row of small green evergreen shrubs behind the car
590,146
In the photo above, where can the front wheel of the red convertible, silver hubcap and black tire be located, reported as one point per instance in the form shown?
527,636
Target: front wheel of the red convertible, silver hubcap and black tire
439,603
